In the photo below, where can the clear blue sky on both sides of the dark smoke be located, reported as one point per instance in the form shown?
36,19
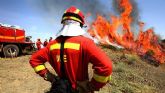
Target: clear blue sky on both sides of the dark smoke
42,18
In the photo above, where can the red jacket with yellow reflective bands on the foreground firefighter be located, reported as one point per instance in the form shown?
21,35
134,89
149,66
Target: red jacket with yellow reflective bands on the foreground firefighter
78,53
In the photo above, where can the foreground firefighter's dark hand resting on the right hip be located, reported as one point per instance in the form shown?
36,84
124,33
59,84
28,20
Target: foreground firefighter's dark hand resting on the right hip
85,87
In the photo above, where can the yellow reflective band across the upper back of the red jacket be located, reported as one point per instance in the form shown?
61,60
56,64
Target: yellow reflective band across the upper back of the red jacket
66,45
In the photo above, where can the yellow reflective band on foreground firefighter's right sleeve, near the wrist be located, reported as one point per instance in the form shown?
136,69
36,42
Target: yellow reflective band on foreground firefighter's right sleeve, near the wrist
102,79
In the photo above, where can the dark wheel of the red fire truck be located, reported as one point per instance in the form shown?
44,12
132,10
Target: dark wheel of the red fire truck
11,50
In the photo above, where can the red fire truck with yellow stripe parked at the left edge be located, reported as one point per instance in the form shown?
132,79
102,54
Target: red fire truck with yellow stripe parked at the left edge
13,41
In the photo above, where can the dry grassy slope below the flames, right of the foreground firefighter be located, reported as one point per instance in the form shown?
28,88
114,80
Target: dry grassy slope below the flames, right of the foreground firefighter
132,75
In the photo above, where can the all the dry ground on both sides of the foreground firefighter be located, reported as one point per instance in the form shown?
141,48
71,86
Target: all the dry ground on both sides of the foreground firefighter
130,75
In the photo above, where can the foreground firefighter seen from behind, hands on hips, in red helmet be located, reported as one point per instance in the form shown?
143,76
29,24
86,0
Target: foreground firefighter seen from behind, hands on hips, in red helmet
78,51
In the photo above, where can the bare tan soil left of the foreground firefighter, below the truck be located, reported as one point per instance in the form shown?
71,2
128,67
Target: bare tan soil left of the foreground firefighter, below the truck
17,76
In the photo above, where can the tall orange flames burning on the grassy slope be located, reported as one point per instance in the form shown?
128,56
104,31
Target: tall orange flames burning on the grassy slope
107,33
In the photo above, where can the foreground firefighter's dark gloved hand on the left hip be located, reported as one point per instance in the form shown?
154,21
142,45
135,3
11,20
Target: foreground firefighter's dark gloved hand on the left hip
50,77
